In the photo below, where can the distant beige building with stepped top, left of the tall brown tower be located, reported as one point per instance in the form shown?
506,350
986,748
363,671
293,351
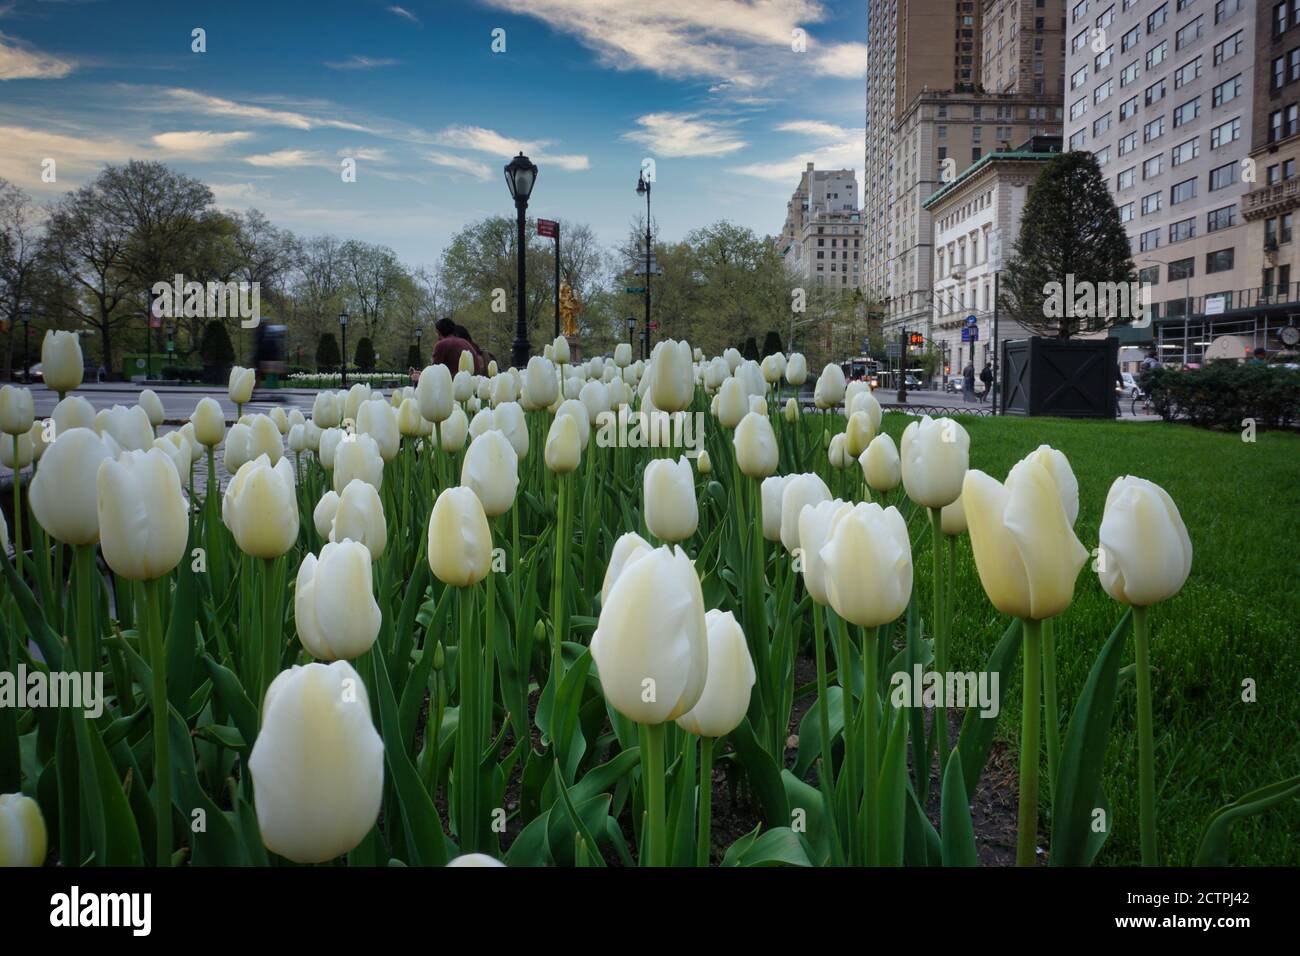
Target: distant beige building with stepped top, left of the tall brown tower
822,239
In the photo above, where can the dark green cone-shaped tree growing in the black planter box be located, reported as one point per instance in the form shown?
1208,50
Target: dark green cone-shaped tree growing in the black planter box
1071,228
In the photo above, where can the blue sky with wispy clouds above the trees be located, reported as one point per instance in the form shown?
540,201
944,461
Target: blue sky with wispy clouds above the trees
712,90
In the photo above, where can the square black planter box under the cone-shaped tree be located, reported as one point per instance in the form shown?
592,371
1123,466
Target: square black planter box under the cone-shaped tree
1068,378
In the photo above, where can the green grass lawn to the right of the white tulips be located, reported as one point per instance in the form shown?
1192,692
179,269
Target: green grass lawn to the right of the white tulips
1236,620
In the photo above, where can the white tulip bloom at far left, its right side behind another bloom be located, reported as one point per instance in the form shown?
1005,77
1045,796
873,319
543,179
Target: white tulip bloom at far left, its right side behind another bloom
63,495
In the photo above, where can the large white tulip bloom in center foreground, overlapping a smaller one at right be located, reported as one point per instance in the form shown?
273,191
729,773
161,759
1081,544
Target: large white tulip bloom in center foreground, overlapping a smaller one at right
652,629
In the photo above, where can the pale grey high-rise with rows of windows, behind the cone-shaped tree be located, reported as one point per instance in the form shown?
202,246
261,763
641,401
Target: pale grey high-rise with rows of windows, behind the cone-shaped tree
1162,93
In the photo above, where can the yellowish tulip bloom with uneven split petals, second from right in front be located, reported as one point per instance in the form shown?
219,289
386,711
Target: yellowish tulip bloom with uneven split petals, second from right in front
1026,552
